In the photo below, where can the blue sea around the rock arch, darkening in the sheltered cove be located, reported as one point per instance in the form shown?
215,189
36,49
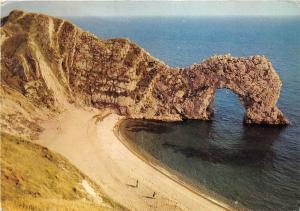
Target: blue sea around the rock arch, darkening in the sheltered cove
258,167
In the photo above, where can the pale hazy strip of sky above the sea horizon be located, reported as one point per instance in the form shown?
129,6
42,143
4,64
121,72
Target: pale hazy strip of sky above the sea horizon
156,8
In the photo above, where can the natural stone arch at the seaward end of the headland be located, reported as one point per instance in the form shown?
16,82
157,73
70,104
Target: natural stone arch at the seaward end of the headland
253,79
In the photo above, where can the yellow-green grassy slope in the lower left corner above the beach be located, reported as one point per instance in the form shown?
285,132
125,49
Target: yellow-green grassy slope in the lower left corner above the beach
34,178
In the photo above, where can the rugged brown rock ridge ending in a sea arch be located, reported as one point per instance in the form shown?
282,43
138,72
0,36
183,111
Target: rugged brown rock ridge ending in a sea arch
52,62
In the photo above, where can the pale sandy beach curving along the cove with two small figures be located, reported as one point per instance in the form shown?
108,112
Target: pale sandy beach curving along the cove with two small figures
88,140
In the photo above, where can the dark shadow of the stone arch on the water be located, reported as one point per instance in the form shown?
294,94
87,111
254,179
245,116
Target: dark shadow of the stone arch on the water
256,147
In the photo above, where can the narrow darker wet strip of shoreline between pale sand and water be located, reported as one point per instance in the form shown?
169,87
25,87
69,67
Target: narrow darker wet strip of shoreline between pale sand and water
161,169
